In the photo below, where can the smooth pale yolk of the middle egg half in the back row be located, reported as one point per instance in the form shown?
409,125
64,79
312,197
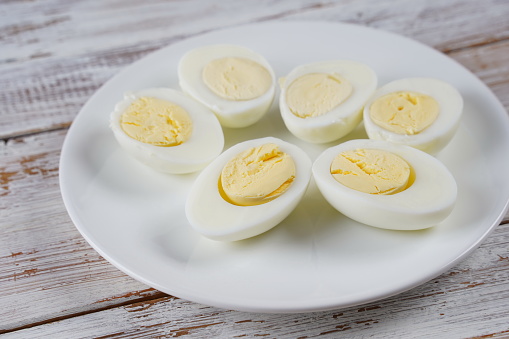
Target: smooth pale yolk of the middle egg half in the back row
315,94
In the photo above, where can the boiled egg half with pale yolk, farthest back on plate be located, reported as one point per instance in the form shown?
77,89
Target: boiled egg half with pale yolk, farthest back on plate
236,83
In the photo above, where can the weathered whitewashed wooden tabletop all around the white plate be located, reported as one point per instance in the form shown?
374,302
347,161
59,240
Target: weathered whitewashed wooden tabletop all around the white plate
55,54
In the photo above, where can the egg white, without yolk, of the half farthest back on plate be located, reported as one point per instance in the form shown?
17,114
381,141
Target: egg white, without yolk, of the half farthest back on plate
229,112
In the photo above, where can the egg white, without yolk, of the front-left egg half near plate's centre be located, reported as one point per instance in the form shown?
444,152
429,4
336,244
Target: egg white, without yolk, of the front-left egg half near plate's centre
215,218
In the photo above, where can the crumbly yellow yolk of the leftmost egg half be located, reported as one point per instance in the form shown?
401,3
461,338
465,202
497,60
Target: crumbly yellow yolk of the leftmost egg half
157,122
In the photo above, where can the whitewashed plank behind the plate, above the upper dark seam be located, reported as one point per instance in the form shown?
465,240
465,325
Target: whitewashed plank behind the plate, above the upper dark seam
56,54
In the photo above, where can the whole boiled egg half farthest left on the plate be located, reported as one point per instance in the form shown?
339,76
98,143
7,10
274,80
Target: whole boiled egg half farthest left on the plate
167,130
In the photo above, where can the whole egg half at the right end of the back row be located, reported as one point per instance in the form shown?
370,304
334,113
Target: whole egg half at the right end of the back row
420,112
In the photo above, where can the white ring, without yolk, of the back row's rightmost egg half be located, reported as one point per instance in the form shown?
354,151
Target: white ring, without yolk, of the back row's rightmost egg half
436,136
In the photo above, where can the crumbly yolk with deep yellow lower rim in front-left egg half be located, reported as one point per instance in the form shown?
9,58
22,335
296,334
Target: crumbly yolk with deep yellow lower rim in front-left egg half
257,175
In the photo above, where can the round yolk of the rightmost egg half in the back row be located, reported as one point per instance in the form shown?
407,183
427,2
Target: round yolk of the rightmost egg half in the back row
406,113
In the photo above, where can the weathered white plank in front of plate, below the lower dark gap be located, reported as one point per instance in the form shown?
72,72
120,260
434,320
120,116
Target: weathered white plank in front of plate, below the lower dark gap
471,300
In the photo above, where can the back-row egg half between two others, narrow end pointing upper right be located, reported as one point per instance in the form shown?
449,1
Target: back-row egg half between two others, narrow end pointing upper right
323,101
